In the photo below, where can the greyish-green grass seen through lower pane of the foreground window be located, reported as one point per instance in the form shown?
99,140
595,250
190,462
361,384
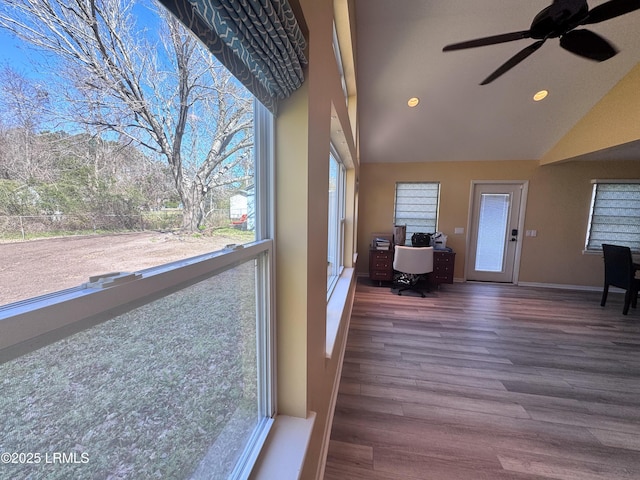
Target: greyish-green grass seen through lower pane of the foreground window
145,394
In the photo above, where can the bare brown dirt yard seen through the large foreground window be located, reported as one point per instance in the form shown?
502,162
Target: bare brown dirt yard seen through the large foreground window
36,267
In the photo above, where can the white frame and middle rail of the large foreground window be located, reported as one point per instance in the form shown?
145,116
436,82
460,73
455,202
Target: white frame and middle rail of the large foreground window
32,323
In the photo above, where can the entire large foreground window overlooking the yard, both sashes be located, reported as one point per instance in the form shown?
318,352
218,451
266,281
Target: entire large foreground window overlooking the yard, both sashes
164,369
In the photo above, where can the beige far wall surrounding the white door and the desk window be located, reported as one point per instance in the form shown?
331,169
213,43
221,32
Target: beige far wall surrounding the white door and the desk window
557,207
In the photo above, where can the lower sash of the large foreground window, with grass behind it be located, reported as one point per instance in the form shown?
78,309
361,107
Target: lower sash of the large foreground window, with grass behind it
171,372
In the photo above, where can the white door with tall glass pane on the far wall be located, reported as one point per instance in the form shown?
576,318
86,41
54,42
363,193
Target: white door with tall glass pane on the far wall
494,231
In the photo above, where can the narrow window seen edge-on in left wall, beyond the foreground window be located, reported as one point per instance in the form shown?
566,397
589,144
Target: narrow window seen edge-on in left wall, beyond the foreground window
335,243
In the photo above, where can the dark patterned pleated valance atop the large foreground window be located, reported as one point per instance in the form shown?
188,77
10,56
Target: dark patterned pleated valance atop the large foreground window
258,41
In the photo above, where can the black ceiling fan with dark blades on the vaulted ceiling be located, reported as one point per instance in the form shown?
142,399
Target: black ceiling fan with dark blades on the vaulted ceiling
560,19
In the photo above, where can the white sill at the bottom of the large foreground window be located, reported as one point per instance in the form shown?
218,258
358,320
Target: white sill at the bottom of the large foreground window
283,454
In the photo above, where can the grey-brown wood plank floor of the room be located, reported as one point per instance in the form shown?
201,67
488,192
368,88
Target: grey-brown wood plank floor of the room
481,381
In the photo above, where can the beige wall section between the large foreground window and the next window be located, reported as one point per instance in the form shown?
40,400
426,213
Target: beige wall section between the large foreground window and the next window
307,377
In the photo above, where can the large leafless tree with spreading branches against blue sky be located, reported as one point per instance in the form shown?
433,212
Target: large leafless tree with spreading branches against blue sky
166,94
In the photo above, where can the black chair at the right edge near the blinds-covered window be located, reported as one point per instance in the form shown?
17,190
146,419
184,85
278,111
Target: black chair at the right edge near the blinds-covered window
619,271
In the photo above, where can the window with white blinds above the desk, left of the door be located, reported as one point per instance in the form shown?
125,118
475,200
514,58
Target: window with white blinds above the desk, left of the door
416,207
